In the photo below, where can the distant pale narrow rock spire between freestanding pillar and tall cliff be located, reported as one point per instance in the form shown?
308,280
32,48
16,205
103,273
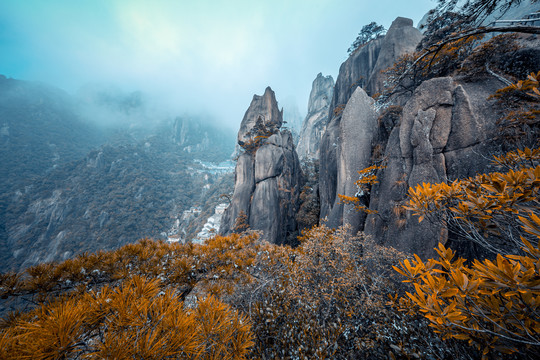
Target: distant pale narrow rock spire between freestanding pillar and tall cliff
317,117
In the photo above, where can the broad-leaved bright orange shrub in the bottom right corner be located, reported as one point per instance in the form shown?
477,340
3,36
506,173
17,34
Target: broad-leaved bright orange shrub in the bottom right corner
494,305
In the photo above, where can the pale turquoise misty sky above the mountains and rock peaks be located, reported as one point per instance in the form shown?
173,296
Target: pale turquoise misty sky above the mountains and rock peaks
194,55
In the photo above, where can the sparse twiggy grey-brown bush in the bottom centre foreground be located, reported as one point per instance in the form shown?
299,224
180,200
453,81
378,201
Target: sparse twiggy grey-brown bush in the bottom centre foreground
327,299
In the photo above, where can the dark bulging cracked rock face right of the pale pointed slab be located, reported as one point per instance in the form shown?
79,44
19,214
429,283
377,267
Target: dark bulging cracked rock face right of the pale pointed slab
446,130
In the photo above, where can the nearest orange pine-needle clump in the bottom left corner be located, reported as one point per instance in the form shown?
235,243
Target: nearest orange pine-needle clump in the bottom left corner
137,320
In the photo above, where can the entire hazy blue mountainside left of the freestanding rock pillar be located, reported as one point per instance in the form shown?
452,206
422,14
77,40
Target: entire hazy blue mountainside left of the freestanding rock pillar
67,187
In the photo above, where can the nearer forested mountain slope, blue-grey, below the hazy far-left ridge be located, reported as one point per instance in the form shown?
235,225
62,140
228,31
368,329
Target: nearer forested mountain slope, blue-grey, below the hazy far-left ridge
113,196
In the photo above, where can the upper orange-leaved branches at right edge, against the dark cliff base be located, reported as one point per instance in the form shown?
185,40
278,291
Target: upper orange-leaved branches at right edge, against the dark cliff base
485,208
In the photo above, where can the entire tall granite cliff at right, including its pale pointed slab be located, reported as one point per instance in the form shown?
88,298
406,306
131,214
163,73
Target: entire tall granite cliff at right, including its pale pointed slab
446,129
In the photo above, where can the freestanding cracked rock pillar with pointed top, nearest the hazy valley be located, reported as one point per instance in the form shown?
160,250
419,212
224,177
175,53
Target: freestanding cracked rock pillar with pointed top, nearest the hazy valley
267,178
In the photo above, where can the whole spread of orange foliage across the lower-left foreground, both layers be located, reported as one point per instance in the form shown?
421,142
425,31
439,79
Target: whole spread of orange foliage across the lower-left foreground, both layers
129,303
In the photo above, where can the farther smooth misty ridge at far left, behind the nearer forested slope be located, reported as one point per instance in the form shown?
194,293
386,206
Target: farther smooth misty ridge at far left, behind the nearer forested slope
39,129
